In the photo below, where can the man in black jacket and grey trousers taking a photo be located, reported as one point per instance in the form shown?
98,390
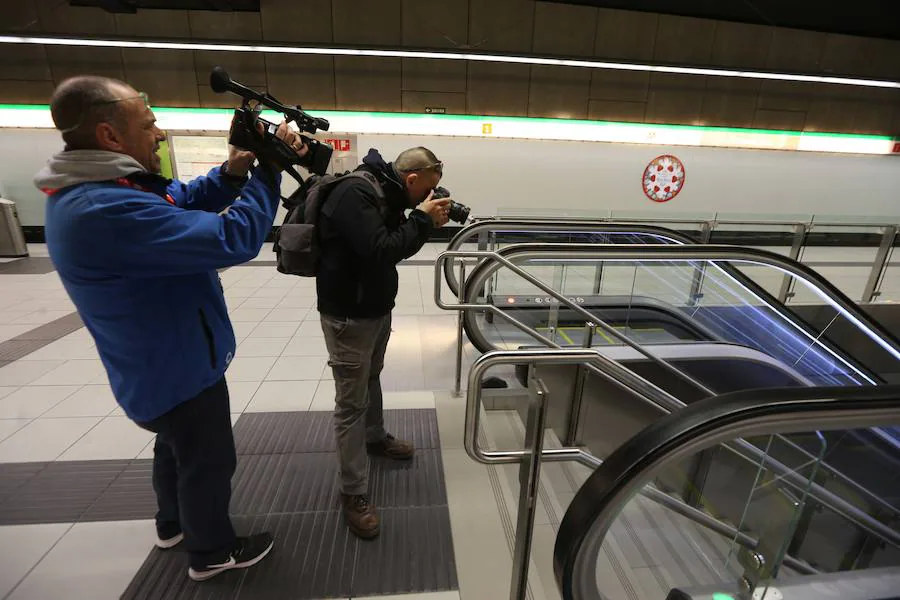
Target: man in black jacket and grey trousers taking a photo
362,238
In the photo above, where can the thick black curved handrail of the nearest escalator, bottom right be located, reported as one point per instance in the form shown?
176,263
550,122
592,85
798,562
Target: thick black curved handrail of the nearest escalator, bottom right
702,425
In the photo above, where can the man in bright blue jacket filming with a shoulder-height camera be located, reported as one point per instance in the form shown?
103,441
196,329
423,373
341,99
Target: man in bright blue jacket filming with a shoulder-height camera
138,255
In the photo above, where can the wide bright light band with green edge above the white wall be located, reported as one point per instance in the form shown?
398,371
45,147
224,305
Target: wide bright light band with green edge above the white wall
209,119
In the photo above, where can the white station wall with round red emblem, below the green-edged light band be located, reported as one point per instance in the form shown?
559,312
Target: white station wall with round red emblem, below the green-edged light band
563,178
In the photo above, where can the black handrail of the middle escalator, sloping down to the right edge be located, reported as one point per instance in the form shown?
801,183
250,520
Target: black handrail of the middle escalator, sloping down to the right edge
713,253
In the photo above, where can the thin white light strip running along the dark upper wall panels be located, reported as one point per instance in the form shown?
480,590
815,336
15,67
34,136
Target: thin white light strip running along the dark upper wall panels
497,58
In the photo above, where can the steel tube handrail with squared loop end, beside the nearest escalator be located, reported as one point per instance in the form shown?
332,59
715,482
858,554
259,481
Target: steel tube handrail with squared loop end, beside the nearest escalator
653,395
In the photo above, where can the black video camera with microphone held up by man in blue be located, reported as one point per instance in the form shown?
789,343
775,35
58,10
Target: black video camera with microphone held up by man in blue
245,134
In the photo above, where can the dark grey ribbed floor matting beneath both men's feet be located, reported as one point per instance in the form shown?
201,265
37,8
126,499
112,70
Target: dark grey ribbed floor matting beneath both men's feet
286,482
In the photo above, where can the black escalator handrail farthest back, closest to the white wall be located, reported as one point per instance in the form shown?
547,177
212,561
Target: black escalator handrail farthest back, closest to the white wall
550,225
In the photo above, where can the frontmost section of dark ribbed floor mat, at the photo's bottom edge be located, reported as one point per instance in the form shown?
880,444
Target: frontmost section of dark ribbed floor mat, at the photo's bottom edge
315,556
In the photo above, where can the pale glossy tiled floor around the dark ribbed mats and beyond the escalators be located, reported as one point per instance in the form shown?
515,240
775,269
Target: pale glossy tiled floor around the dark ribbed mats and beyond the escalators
55,405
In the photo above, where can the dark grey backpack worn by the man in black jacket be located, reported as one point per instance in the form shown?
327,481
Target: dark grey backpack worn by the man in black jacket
297,240
